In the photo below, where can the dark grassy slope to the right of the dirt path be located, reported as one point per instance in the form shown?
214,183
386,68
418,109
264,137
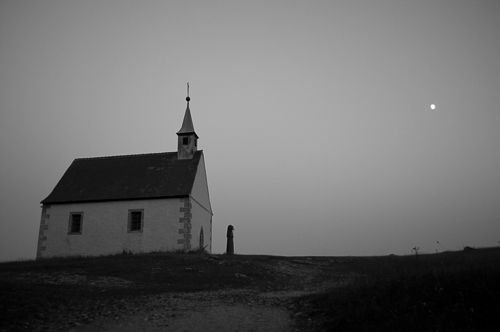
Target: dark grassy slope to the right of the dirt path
456,291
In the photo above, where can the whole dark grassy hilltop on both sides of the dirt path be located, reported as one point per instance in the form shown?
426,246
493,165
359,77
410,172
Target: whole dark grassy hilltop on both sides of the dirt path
450,291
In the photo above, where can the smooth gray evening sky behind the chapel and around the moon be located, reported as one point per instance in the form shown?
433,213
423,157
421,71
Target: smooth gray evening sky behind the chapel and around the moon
314,115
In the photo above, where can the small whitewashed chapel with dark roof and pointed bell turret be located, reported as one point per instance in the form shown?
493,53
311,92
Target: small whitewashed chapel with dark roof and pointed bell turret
131,203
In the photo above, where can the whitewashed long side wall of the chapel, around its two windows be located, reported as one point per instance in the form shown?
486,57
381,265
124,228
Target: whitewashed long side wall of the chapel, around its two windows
105,228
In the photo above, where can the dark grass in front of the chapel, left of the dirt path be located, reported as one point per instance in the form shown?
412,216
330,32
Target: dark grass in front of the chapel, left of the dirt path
28,300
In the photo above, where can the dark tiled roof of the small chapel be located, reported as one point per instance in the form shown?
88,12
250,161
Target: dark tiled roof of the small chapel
142,176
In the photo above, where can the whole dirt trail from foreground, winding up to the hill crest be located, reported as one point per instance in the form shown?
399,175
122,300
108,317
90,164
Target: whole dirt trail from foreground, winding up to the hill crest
223,310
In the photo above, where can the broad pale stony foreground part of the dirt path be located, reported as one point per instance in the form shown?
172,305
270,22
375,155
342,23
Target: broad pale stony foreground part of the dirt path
206,311
